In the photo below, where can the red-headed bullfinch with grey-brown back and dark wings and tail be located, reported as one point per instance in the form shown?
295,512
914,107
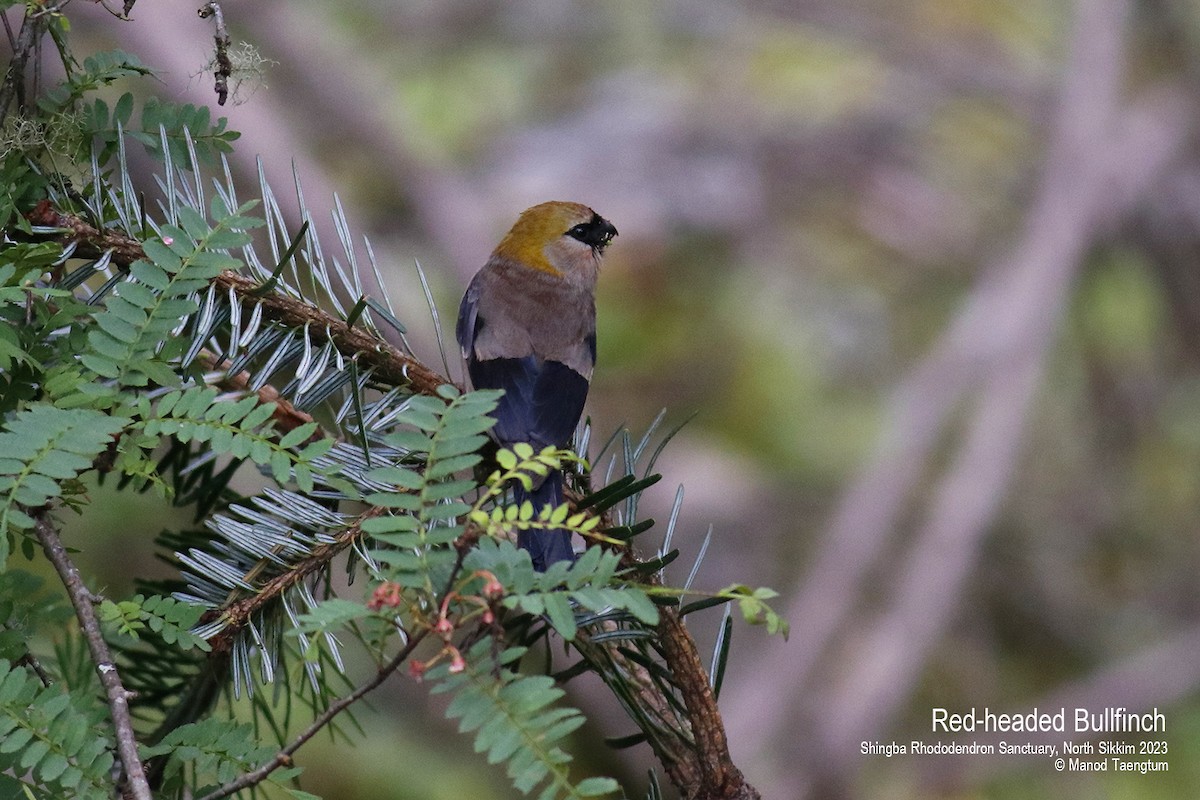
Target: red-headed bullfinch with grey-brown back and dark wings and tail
527,324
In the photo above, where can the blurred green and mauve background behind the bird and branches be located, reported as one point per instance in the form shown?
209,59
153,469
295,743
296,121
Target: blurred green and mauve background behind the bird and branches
815,201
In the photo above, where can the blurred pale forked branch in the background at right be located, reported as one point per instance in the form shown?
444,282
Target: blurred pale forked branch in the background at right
992,357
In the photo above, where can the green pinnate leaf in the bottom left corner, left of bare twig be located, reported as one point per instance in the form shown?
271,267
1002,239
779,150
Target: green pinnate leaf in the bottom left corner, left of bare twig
44,736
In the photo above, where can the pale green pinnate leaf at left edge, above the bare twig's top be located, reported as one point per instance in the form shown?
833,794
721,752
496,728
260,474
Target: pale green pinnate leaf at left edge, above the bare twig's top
43,448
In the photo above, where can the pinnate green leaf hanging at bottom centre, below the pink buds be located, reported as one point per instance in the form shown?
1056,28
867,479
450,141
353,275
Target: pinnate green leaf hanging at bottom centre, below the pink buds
518,723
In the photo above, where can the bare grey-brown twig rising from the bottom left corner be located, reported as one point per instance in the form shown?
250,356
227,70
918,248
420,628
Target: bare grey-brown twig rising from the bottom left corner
118,697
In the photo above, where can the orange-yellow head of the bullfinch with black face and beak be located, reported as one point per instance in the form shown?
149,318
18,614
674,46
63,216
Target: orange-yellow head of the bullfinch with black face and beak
562,239
